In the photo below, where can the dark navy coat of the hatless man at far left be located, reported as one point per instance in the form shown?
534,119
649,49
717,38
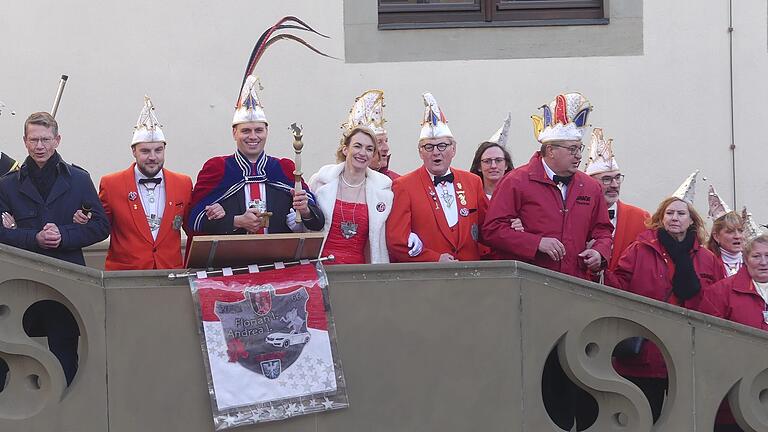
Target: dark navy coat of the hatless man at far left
73,188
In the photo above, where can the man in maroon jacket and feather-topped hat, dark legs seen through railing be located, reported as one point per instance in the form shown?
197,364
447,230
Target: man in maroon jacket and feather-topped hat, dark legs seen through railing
561,209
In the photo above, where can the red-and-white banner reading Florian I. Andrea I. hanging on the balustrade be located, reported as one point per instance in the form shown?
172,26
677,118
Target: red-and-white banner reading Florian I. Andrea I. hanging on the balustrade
269,345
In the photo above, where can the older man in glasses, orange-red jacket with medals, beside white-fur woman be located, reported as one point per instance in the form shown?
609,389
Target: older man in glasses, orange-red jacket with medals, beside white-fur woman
436,204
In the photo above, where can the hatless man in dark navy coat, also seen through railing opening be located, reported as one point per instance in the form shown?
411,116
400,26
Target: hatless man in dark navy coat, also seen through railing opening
42,198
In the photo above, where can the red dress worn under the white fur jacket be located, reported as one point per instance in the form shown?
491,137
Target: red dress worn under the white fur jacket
347,250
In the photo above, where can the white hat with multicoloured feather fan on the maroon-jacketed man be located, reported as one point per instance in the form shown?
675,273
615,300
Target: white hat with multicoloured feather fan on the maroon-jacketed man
563,119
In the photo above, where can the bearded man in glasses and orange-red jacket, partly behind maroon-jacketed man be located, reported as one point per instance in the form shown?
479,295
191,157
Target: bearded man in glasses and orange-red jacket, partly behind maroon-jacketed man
628,220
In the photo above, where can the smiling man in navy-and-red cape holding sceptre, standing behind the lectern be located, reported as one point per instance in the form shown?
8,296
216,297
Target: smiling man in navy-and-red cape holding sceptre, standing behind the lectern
233,193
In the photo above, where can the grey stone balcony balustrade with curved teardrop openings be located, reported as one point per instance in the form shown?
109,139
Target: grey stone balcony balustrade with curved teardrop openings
427,347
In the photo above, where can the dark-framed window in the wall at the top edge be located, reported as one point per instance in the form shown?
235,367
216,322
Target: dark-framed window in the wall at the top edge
398,14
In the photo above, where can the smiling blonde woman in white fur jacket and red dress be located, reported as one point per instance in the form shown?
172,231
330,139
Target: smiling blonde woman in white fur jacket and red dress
355,200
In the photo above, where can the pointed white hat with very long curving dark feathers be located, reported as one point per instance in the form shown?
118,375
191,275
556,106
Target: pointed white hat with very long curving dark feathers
249,107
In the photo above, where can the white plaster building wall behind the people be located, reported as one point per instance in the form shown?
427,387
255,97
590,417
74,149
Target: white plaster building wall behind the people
667,109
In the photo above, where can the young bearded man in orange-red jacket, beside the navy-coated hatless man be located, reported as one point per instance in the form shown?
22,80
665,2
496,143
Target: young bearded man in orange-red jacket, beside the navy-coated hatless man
146,204
